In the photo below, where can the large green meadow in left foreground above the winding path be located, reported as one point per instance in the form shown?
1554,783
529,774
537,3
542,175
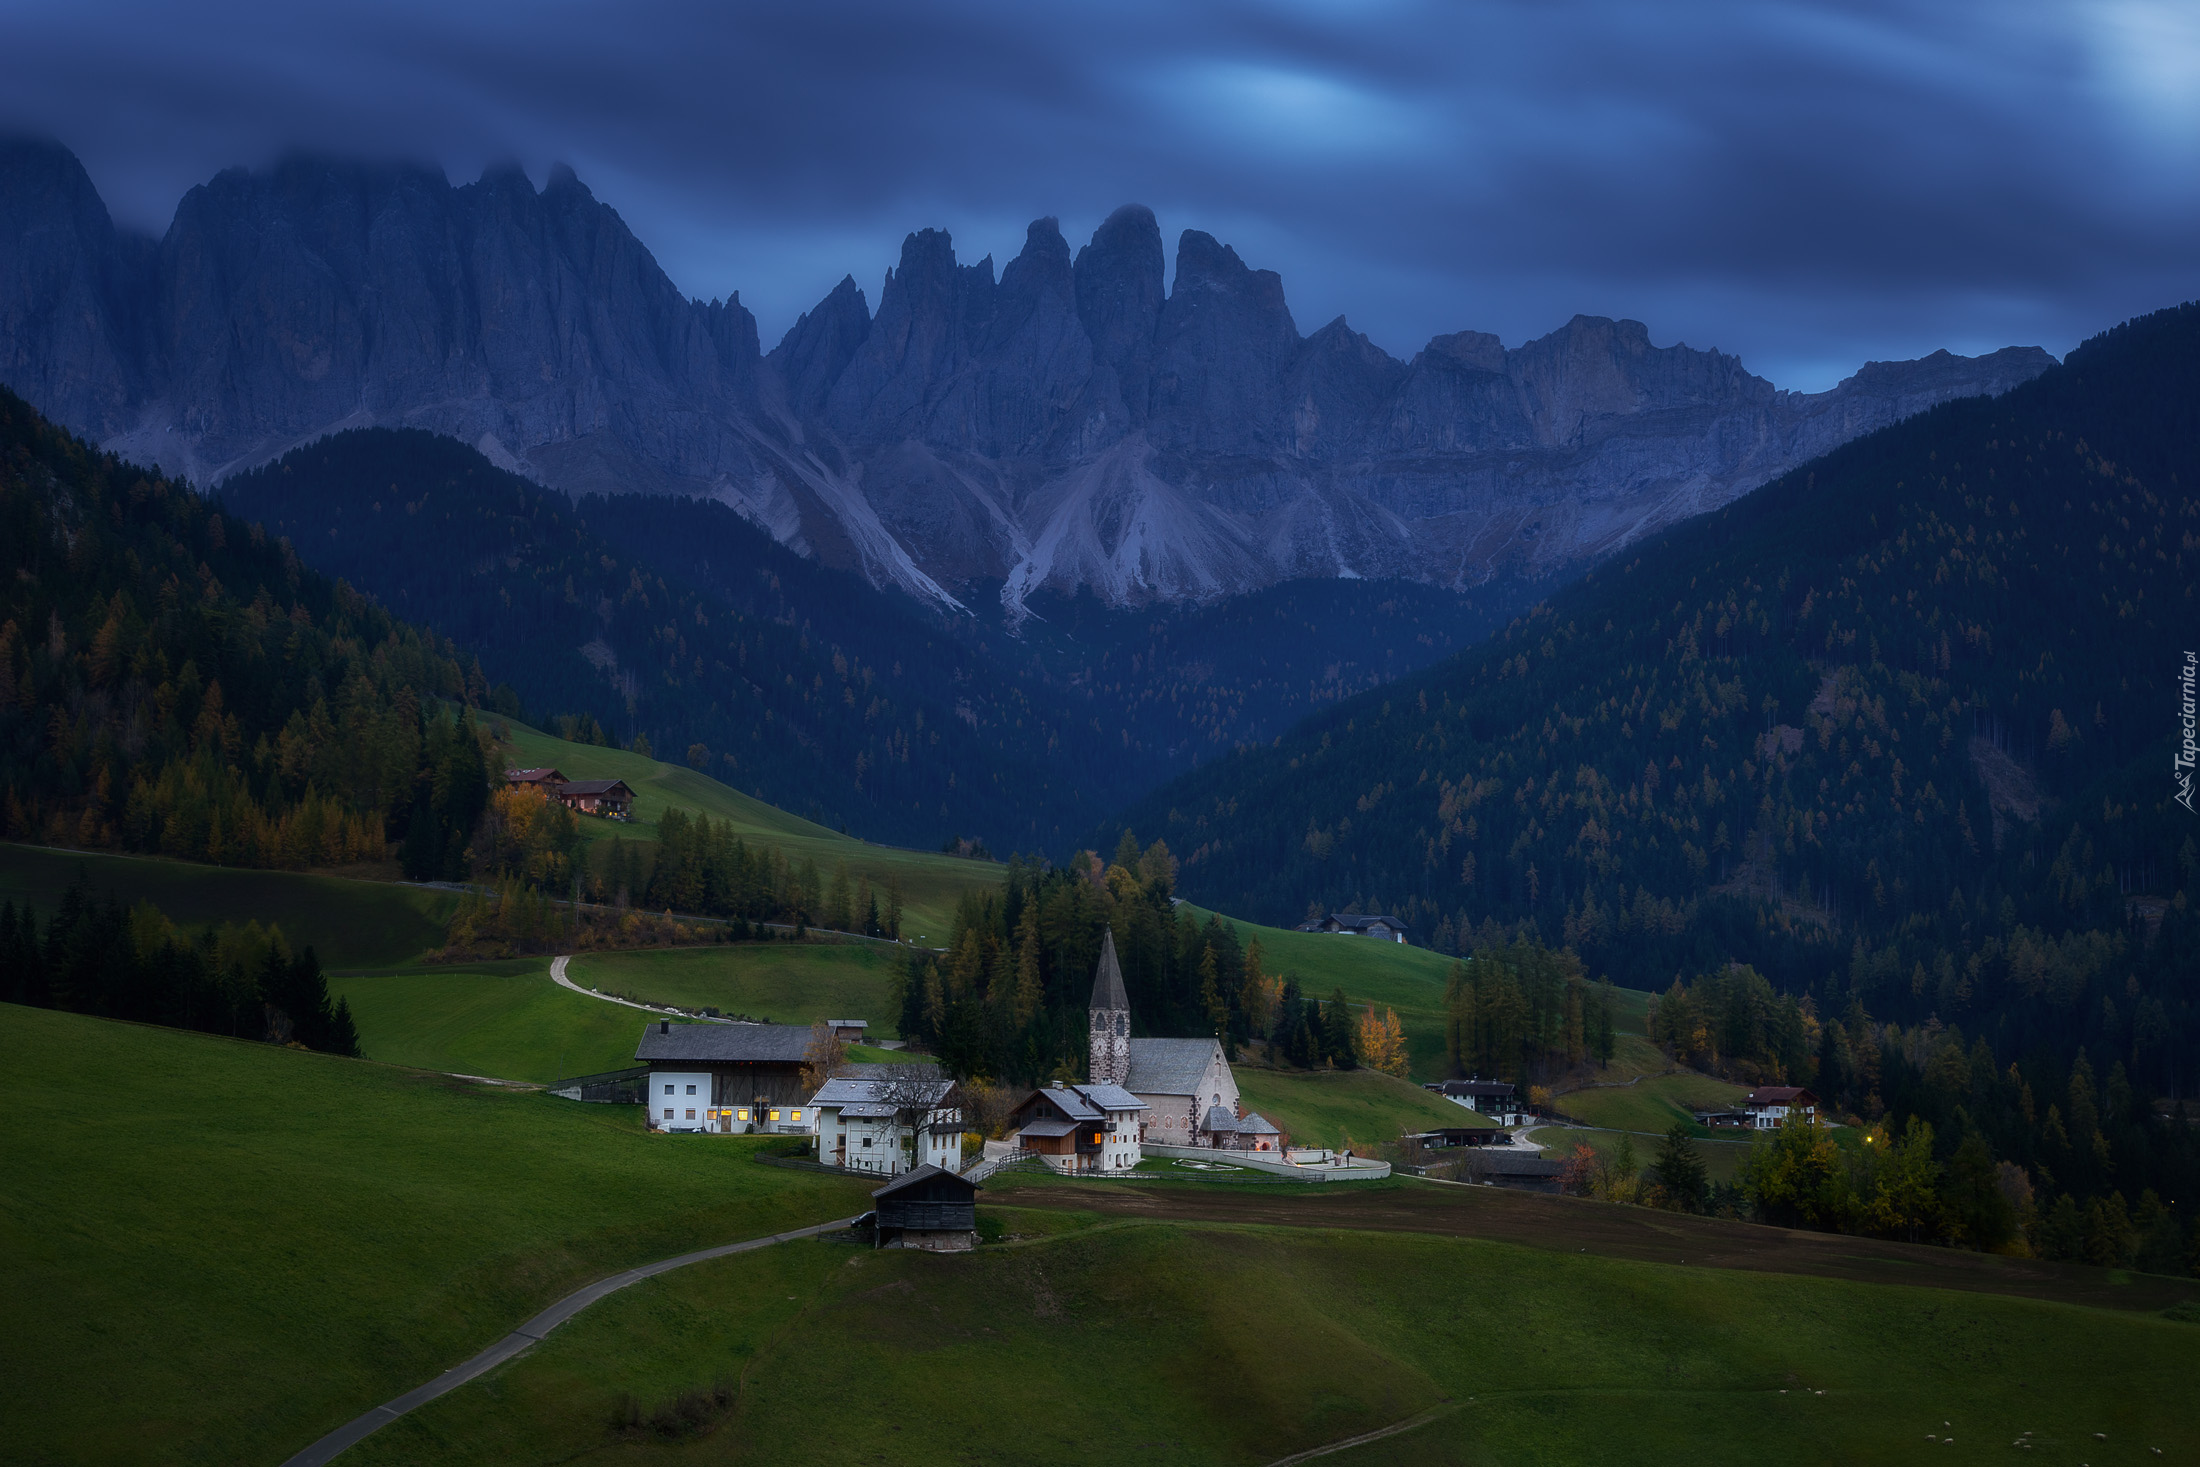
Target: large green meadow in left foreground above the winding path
221,1250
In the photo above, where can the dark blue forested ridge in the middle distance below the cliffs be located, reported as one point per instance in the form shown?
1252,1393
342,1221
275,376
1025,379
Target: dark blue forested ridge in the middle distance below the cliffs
784,679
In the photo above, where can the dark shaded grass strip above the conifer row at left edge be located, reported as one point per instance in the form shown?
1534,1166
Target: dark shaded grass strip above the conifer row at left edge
346,923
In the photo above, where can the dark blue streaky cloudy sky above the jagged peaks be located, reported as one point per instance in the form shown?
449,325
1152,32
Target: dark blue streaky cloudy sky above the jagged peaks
1803,184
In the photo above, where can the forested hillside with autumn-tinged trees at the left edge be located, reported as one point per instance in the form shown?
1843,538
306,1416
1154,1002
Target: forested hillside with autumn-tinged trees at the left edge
175,681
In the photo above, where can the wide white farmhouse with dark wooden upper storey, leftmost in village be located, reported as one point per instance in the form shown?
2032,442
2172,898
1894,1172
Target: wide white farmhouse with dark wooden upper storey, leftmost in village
725,1079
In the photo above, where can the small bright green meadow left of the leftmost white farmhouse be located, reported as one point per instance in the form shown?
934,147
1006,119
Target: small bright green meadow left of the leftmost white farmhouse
489,1019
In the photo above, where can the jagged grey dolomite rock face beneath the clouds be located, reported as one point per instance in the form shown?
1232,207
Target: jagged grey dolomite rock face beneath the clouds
1061,423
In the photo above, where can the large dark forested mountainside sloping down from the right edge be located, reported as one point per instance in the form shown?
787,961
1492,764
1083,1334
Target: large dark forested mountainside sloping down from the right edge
1895,731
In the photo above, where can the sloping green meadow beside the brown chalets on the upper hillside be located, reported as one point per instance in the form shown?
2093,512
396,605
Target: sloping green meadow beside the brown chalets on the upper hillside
932,883
